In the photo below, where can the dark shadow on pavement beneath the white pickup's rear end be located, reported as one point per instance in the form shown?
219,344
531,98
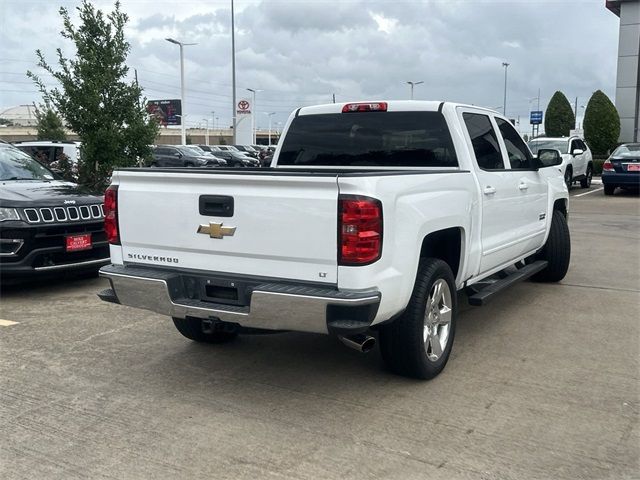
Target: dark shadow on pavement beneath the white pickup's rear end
287,360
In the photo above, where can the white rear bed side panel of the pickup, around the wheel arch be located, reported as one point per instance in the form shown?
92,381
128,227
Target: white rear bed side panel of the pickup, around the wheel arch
413,207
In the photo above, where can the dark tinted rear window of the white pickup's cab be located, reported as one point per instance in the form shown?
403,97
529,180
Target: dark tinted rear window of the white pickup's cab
376,139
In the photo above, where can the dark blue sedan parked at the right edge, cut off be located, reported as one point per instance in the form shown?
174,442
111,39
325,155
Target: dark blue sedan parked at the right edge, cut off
622,168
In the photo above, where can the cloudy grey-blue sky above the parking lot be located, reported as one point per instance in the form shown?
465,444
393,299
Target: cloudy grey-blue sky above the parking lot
300,52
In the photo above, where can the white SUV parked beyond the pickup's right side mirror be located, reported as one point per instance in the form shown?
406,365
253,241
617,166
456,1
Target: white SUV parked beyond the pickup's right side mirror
577,162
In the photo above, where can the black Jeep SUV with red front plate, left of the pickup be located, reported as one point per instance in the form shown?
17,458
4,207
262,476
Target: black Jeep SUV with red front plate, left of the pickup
46,224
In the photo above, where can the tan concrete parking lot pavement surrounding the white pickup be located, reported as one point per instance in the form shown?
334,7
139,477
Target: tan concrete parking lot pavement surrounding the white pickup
542,383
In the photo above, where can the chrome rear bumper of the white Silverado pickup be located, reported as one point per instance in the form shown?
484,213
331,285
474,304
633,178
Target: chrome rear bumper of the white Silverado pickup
273,306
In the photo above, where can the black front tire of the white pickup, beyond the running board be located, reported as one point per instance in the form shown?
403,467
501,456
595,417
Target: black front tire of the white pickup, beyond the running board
557,251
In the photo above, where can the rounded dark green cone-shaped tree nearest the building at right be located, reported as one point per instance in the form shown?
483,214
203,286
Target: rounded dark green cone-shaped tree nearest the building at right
601,124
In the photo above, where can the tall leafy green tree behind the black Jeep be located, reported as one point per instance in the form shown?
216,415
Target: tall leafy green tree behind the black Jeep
106,111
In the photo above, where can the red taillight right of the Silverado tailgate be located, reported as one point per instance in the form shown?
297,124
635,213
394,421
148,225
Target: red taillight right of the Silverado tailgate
359,230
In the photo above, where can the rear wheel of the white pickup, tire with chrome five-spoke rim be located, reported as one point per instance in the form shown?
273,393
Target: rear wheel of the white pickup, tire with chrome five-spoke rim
418,343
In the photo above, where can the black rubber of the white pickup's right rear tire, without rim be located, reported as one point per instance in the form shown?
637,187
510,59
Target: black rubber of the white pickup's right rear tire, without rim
402,343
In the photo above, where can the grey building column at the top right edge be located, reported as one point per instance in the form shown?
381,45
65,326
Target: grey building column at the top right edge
628,75
